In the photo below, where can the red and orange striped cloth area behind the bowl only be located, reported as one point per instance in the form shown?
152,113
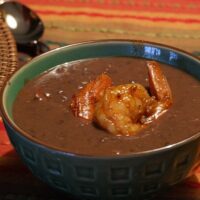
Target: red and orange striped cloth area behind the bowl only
172,22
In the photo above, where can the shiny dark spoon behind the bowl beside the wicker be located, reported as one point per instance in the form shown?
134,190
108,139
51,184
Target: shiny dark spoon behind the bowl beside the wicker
25,25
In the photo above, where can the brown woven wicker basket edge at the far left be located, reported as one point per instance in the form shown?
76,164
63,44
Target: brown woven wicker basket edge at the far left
8,52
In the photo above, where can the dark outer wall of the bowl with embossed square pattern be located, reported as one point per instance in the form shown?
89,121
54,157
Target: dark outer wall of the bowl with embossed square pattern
128,177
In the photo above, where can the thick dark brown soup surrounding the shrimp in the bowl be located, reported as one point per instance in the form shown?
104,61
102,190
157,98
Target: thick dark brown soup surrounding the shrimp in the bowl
42,108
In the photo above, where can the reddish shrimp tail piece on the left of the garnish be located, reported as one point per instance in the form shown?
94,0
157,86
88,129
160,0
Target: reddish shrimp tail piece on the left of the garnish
83,103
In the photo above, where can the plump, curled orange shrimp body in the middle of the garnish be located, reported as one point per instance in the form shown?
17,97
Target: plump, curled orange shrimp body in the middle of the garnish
120,109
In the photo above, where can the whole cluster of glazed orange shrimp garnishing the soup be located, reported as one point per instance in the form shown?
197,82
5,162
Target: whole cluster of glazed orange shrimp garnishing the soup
124,109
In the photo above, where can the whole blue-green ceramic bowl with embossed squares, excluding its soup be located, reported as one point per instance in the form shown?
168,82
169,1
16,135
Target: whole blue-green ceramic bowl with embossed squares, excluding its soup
136,176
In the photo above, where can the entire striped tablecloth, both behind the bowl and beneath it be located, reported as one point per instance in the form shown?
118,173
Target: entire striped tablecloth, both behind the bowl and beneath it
172,22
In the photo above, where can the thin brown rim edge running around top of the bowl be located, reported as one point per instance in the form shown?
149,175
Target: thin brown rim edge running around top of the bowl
42,144
